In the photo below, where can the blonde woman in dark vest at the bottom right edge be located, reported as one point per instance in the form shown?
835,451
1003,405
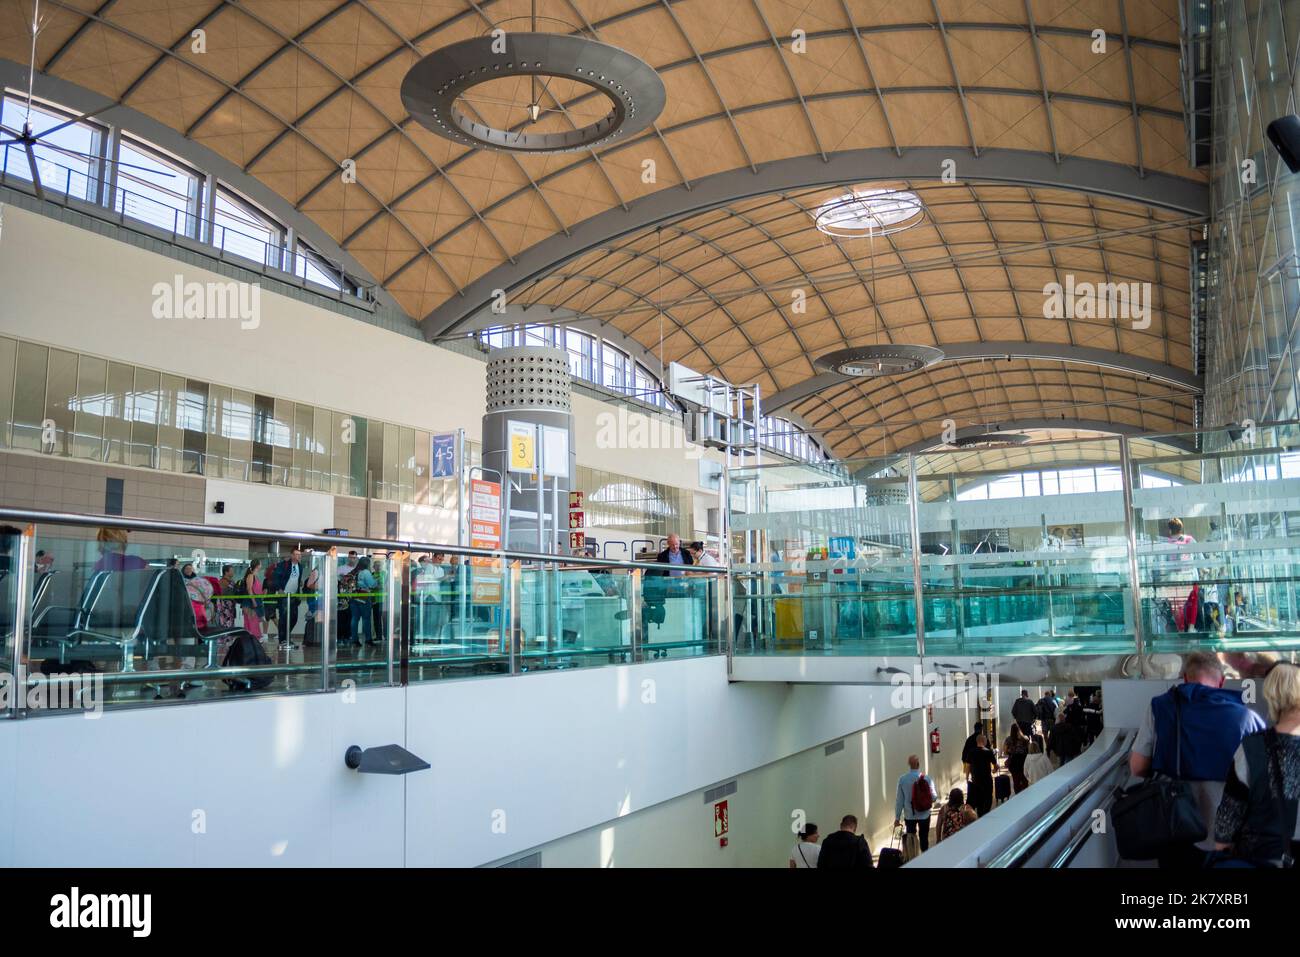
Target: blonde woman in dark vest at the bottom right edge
1258,821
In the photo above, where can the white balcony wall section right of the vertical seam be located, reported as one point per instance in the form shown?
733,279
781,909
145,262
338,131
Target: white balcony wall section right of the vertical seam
557,754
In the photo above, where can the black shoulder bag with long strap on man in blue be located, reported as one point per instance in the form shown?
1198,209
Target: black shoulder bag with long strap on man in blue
1159,813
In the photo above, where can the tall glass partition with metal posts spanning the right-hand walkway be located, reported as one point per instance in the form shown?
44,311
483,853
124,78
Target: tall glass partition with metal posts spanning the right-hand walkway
1047,549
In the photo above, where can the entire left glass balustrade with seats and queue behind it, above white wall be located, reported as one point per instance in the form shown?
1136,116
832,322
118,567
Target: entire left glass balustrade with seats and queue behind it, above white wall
161,613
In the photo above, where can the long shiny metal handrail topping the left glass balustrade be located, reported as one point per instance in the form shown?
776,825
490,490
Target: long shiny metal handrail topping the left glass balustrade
327,542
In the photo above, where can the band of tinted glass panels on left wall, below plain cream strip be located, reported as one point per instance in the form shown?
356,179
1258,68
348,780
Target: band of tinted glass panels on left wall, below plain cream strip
64,404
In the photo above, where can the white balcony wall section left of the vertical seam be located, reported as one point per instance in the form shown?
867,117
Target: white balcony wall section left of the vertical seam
267,774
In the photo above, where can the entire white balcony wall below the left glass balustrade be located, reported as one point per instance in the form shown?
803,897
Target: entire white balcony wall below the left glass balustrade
554,754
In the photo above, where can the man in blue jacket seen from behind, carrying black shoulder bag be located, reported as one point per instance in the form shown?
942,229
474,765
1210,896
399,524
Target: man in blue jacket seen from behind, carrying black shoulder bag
1214,724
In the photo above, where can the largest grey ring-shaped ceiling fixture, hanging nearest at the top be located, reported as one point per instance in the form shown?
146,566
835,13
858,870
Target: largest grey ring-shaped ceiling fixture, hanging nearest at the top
534,93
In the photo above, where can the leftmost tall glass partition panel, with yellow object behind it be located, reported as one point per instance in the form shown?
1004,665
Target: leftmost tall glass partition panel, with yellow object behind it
830,566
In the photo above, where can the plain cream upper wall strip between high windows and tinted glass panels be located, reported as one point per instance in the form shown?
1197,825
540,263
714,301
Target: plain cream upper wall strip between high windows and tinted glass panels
75,289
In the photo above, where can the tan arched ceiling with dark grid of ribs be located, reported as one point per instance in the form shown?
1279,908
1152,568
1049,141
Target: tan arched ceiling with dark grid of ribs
288,90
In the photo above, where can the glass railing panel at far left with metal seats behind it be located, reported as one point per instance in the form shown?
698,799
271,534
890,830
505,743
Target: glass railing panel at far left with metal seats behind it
148,618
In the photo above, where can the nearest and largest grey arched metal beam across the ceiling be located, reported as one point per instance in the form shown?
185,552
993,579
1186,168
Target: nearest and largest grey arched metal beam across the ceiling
1022,168
